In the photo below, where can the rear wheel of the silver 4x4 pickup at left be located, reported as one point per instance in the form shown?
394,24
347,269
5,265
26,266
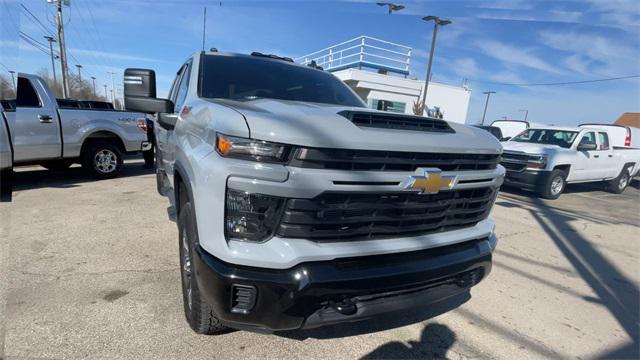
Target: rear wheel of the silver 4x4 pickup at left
102,160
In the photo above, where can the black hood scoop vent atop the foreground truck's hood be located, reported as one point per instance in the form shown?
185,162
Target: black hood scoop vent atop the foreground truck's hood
396,121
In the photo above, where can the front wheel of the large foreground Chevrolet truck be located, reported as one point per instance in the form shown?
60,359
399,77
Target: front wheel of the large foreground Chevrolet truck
198,312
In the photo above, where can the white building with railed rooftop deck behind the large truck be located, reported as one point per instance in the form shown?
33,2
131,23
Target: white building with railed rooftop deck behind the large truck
378,71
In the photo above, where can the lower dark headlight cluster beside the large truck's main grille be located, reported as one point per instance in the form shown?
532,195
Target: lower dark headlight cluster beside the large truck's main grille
251,217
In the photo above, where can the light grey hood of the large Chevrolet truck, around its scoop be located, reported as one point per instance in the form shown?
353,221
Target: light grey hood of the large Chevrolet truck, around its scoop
320,125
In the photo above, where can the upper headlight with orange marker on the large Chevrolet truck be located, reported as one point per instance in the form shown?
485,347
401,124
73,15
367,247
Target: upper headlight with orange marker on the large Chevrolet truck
251,149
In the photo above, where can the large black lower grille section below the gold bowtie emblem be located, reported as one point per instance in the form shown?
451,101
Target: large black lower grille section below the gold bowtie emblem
336,216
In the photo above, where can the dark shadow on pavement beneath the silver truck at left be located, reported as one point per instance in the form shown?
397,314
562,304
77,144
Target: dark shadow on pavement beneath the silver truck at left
39,177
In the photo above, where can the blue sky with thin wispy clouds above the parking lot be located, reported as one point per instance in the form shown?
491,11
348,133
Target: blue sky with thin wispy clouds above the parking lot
488,41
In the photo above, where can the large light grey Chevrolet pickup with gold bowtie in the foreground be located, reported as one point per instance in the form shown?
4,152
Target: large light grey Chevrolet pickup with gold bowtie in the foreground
299,207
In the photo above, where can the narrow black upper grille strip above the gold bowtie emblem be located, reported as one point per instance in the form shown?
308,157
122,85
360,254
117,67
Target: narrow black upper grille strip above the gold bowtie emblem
374,160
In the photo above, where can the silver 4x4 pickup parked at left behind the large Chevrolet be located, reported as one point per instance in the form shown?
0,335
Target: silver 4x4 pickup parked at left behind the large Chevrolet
43,133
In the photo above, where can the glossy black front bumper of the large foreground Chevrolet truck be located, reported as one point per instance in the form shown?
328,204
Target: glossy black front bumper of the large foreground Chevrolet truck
311,294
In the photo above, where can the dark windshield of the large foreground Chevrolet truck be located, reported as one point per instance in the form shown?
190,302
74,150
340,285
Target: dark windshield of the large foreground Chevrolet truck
249,78
